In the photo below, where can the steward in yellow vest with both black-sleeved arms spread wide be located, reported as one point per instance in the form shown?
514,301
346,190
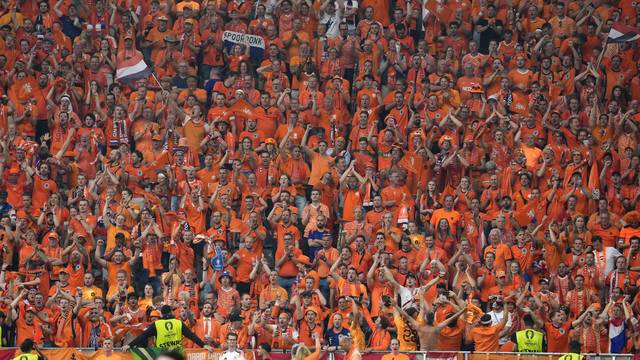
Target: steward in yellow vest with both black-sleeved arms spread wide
168,333
